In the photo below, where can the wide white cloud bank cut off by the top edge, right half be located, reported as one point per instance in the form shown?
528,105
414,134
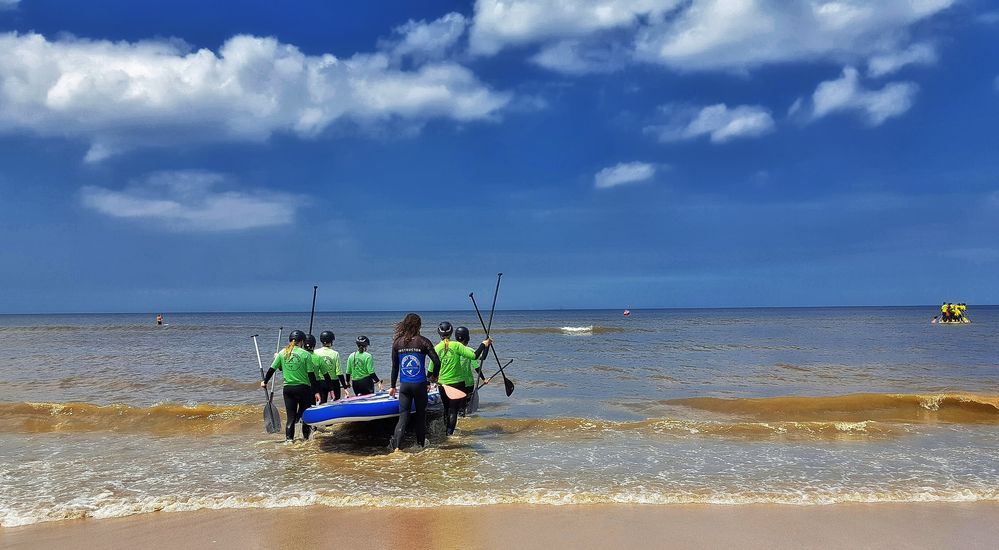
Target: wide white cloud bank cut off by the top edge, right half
704,34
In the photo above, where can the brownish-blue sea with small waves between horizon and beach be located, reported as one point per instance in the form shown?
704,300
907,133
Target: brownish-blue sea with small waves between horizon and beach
109,415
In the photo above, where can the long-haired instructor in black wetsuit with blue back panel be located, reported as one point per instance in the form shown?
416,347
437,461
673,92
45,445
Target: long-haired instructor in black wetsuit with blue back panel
409,367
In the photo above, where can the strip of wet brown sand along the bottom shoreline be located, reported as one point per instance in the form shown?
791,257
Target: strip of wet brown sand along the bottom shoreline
915,525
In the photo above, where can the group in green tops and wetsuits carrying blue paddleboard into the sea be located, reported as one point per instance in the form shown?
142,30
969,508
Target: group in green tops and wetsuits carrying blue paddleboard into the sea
315,376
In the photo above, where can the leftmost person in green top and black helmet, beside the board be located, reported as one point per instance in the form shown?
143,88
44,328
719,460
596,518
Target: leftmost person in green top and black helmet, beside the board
301,388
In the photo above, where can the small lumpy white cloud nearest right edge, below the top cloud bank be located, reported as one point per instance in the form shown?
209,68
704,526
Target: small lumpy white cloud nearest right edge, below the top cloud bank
846,94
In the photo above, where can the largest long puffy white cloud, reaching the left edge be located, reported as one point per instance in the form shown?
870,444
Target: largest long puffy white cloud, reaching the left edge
121,95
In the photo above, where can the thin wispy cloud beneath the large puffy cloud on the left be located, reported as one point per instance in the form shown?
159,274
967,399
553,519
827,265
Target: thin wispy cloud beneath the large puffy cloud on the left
193,201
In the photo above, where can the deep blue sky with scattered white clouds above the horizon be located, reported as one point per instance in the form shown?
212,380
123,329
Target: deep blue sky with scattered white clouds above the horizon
199,156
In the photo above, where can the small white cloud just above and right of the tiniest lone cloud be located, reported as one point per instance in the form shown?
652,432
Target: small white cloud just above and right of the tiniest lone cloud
718,121
